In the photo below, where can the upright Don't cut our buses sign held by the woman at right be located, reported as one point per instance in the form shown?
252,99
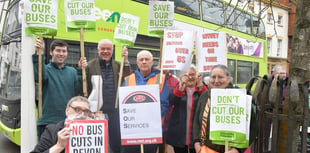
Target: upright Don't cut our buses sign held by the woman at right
228,115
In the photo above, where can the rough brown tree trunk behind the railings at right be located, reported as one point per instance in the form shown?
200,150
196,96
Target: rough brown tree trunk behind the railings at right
299,73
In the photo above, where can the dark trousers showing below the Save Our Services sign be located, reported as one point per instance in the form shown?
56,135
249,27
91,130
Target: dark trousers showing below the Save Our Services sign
151,148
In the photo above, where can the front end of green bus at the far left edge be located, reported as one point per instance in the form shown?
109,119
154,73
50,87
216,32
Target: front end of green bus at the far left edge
10,71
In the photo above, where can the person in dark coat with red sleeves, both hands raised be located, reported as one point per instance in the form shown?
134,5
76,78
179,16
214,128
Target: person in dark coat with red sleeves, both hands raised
185,100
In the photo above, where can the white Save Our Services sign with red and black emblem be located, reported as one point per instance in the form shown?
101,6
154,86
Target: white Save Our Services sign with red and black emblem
140,117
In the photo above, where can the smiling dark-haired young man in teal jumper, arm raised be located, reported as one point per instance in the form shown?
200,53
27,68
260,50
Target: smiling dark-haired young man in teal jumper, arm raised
60,83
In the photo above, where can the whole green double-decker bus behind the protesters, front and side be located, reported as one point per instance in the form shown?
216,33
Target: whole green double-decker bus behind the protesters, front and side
215,15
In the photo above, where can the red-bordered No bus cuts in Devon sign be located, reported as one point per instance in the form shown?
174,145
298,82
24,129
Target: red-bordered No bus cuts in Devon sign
87,136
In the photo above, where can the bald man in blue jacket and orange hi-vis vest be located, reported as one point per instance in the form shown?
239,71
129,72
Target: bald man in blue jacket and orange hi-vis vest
146,75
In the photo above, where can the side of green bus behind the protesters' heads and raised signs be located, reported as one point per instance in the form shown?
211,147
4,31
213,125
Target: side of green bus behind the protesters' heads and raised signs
215,15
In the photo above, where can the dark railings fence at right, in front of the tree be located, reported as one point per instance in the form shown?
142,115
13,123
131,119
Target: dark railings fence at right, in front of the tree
282,113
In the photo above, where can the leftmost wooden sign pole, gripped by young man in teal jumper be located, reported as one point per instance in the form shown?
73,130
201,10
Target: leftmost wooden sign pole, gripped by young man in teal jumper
39,51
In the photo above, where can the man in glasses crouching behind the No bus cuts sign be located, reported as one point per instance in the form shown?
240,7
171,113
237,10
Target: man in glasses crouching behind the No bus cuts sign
56,136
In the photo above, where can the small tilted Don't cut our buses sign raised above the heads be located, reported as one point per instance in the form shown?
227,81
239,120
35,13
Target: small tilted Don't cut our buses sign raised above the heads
127,29
